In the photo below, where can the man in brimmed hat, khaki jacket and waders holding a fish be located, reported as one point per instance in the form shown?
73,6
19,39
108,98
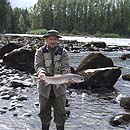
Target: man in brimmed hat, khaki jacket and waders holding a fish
49,60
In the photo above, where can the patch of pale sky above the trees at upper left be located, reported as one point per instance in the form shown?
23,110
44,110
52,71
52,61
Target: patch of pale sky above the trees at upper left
22,3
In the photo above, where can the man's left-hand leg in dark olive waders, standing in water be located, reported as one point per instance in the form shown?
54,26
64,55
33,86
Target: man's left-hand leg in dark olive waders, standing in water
45,112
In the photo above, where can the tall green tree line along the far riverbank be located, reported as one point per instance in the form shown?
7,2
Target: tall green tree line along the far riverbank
89,16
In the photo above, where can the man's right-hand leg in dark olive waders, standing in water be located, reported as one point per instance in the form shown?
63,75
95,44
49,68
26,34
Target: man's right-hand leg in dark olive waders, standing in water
59,111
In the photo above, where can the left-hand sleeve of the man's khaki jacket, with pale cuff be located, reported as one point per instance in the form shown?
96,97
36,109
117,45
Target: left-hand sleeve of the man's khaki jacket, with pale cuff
39,64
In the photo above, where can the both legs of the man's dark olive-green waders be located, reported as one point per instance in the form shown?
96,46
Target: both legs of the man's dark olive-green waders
58,103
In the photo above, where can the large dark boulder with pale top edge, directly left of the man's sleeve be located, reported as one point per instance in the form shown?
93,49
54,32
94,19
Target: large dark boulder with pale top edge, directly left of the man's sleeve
21,59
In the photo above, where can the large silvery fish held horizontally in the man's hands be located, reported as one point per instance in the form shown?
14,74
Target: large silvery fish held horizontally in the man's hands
62,79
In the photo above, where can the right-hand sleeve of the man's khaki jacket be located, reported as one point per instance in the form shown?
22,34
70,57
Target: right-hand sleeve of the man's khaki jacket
65,62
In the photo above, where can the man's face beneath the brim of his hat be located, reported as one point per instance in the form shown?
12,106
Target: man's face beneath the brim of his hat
52,41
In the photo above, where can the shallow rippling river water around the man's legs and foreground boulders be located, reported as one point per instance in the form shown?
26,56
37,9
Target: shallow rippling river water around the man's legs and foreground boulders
89,111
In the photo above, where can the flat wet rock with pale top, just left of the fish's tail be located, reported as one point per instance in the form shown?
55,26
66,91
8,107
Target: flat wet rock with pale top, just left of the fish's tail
20,83
